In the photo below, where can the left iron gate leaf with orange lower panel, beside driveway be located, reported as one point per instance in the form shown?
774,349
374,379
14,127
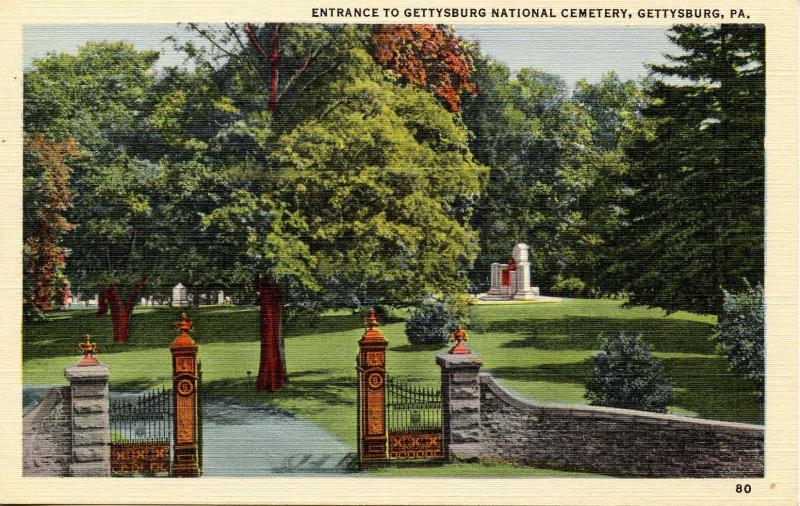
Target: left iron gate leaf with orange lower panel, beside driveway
141,431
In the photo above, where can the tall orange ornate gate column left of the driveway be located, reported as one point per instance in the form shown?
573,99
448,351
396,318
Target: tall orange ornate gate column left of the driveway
184,388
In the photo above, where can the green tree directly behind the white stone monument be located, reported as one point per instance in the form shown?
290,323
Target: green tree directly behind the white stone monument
523,130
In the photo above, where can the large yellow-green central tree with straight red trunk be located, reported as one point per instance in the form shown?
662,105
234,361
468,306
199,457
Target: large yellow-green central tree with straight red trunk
344,183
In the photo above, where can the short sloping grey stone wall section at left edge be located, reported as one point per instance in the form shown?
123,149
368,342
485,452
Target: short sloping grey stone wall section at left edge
47,435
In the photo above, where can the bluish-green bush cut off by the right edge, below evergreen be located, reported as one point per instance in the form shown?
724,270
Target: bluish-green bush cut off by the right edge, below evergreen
740,332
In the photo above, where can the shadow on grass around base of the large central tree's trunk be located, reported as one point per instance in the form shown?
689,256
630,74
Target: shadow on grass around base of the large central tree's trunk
327,390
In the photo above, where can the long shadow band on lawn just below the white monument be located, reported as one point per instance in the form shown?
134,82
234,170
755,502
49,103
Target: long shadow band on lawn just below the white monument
586,333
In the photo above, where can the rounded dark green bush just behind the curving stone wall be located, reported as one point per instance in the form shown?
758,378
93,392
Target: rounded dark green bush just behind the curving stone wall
627,375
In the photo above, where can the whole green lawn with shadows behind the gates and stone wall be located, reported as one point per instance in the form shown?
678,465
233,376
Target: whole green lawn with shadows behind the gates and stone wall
541,351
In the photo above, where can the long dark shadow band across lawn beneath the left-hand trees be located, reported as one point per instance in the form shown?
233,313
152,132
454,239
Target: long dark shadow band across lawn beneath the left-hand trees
59,333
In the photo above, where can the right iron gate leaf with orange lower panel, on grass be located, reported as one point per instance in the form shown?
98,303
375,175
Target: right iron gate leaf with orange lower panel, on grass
413,421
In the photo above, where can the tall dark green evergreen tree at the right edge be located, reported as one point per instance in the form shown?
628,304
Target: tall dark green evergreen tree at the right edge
695,222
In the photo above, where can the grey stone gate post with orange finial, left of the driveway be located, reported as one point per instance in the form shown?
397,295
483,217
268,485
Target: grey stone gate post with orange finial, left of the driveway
91,455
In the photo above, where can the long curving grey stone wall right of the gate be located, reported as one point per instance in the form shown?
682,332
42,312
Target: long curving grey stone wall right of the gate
614,441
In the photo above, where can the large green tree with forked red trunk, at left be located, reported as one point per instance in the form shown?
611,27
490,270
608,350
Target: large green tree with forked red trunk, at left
134,222
